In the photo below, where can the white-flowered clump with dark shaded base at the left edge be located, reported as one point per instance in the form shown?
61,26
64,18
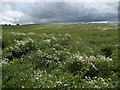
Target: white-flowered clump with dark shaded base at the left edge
20,48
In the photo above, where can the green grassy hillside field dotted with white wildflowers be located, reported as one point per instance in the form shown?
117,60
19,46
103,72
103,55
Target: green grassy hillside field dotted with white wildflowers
60,55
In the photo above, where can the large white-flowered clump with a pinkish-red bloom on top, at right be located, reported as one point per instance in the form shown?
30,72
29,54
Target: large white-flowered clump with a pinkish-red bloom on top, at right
89,65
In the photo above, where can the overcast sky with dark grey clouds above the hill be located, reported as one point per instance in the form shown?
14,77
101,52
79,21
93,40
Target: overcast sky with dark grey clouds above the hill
58,12
